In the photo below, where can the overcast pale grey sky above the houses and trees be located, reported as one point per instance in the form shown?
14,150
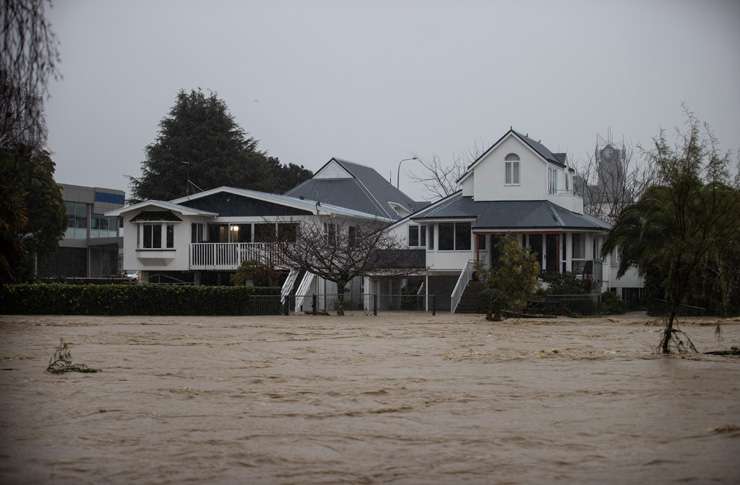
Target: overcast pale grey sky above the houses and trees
380,82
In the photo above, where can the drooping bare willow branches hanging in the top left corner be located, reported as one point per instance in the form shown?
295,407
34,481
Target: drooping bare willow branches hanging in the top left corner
28,59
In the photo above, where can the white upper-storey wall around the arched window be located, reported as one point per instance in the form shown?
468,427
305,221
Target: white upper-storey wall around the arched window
488,181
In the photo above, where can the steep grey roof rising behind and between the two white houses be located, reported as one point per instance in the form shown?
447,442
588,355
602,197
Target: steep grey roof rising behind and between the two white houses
367,191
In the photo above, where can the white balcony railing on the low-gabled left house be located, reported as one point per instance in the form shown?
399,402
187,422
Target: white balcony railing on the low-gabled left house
228,256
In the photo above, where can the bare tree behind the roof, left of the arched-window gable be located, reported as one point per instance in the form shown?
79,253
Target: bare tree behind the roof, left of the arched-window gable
440,178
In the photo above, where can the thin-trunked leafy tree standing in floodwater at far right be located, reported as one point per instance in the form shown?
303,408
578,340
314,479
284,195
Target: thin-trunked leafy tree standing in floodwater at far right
675,227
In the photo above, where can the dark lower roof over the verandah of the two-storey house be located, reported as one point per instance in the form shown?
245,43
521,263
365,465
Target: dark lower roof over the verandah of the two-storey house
512,214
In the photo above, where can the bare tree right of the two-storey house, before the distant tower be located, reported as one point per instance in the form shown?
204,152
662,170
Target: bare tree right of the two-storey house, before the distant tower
608,186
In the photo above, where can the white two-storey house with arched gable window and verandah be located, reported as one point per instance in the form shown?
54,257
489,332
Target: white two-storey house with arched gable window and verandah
516,187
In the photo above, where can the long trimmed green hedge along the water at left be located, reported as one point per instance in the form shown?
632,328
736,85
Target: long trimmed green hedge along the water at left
144,299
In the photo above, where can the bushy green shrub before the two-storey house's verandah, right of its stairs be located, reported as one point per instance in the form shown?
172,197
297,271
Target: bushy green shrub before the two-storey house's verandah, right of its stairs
512,280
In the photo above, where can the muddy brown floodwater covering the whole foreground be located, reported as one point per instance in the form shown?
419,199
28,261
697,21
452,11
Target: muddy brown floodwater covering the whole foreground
403,397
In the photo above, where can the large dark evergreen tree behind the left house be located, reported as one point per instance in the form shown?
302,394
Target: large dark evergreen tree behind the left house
200,146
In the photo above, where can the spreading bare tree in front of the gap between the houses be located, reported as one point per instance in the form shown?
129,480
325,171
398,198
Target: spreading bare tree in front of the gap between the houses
338,251
